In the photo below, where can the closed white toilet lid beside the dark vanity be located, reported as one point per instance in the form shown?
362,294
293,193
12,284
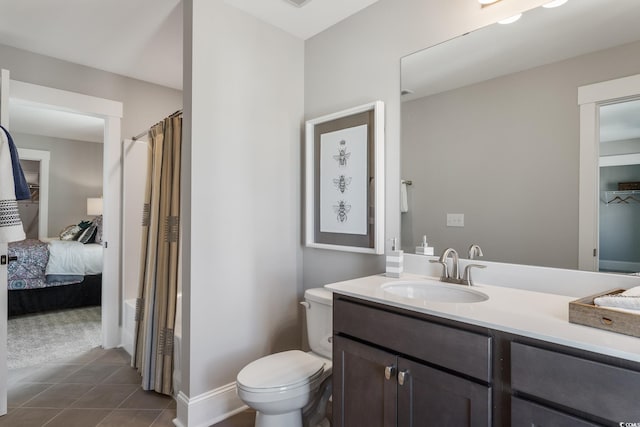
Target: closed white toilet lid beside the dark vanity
286,369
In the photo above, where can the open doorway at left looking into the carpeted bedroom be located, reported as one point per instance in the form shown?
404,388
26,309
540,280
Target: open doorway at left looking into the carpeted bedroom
53,316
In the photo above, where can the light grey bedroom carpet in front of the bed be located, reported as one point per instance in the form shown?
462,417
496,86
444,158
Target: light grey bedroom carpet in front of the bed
35,339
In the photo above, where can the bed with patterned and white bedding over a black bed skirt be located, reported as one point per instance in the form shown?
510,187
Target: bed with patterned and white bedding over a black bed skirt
53,275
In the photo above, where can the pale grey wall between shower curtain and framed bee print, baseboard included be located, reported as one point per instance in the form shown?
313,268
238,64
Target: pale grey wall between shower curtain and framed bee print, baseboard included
241,201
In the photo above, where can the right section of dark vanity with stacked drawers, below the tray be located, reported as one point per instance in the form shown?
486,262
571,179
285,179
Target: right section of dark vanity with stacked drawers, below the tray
556,388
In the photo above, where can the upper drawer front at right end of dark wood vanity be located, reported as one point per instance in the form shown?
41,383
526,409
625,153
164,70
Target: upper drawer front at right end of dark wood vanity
595,388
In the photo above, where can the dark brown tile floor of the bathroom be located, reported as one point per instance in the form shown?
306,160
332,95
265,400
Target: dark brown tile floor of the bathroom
97,388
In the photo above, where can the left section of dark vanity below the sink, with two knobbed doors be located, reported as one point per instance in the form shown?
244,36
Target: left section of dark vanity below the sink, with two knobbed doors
396,370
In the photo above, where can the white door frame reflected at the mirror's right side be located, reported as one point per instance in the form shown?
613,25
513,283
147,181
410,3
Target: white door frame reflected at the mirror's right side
590,98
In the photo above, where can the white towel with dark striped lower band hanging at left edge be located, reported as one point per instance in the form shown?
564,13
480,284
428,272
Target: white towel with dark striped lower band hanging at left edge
11,229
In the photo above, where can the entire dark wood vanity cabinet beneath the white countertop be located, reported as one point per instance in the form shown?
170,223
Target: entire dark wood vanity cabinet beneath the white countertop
395,367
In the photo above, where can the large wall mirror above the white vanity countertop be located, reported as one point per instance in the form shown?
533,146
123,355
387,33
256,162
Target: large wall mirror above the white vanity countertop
491,130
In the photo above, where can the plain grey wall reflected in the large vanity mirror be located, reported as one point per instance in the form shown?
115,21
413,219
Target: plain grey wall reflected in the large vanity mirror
506,154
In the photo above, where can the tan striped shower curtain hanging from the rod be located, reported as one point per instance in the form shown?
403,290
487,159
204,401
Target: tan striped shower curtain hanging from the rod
156,303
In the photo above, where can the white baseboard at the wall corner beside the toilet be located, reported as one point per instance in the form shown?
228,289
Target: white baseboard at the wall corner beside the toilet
208,408
